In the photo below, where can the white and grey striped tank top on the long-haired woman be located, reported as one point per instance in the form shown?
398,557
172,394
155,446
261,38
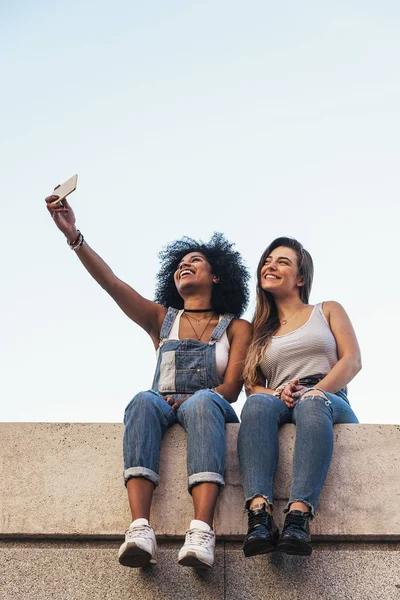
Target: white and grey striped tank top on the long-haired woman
307,351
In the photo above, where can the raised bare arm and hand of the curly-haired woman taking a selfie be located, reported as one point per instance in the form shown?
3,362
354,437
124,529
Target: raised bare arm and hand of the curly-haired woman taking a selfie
147,314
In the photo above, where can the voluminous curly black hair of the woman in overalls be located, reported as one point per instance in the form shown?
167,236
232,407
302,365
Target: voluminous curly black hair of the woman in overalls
230,295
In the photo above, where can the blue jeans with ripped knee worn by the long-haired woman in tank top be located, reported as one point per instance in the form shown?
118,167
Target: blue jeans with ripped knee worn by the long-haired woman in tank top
258,443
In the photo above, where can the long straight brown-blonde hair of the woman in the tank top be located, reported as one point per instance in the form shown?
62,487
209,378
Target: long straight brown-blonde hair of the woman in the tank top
266,318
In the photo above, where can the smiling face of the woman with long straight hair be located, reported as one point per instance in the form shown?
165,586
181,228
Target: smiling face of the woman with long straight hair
279,274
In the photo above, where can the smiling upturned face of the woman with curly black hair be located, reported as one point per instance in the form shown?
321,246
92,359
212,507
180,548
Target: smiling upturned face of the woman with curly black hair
194,273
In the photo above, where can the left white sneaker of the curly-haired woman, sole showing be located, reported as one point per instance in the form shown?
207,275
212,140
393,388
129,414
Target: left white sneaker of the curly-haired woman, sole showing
140,545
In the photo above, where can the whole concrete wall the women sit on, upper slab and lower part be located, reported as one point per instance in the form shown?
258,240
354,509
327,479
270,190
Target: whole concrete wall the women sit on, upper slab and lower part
63,510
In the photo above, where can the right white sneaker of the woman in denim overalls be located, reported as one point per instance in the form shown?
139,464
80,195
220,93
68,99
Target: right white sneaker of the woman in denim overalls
198,549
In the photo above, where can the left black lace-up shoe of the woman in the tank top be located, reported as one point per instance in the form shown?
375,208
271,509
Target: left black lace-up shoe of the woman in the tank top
263,534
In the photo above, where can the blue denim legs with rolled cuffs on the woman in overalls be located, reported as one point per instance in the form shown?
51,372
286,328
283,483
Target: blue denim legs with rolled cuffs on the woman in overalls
203,416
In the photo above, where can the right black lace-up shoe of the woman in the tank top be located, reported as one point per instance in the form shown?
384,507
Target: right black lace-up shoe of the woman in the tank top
295,537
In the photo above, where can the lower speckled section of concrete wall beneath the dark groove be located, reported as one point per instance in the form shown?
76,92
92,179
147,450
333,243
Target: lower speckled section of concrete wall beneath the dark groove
90,571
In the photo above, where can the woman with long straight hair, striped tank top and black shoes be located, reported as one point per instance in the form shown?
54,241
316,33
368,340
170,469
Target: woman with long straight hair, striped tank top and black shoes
297,369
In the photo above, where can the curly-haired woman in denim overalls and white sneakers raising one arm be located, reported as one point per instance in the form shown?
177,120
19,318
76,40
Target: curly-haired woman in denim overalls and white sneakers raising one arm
201,345
